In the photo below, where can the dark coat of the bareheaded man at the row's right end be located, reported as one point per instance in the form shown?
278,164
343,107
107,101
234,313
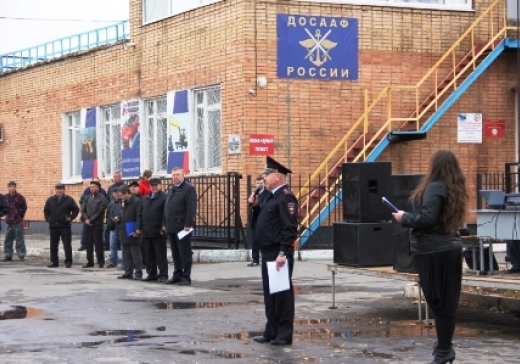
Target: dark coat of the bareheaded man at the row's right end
180,208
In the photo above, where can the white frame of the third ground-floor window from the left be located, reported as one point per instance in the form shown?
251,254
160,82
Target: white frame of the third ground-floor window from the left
147,144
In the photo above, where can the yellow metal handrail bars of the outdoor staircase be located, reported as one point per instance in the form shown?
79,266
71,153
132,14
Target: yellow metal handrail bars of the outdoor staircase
339,153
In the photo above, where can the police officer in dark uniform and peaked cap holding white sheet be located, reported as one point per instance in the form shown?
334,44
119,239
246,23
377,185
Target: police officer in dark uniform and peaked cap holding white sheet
276,233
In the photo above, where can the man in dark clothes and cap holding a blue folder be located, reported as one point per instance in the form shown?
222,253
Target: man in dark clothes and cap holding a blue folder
130,234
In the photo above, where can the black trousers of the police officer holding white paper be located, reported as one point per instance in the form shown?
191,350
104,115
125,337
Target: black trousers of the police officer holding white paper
279,307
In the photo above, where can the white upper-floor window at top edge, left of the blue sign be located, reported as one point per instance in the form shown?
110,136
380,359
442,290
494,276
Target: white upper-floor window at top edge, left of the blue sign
159,9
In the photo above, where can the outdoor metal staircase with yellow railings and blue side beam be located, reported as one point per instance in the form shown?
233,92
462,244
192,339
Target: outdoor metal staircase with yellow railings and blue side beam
364,142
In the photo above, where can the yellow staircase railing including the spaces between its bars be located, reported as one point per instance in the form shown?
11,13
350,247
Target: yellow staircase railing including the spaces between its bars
491,26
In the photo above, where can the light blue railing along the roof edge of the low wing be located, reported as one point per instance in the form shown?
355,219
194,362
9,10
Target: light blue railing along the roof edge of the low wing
63,46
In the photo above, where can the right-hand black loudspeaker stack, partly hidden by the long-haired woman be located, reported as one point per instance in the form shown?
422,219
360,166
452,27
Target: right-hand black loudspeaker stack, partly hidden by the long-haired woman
402,187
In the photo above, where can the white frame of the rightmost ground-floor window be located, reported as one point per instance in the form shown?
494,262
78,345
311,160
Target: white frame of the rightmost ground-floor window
194,131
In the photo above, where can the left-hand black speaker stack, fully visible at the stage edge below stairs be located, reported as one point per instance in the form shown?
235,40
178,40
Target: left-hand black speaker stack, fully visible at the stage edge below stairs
362,239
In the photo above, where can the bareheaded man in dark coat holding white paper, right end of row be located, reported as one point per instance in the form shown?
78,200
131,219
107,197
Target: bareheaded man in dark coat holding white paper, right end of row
179,215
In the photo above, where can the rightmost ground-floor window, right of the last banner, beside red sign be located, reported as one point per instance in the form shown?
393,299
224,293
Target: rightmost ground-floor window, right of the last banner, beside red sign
206,130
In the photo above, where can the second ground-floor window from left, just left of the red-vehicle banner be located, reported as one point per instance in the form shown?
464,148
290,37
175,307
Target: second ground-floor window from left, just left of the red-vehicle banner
111,148
